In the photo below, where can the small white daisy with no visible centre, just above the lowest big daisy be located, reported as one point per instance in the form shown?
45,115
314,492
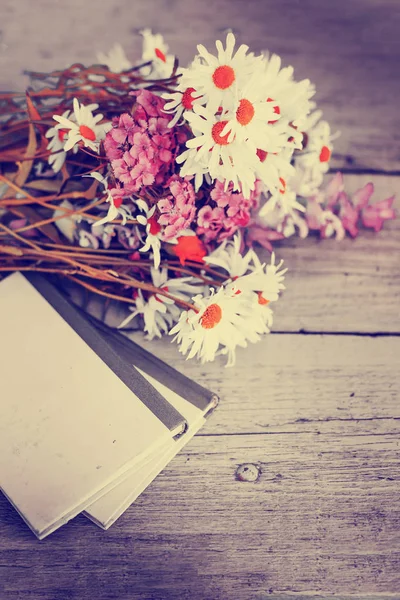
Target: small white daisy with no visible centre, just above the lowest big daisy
227,256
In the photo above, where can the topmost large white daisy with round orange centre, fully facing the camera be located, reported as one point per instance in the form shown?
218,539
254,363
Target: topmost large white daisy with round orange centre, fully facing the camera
218,78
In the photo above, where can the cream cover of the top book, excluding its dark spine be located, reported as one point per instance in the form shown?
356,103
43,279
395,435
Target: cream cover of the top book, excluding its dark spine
68,425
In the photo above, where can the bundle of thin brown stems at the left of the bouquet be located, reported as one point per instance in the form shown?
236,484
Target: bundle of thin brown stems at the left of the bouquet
36,202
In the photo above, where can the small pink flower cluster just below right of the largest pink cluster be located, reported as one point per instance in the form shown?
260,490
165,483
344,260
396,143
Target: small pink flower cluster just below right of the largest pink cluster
178,208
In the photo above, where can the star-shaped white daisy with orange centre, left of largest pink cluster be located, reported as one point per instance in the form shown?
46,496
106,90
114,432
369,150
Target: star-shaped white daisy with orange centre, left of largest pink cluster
83,127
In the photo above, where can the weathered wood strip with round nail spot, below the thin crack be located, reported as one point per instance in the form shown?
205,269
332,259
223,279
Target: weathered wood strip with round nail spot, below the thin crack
323,517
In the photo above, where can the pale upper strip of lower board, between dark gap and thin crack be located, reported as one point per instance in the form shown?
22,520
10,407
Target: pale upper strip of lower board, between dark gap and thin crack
291,383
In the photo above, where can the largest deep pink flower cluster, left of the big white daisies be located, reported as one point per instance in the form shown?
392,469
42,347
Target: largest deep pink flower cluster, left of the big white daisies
141,147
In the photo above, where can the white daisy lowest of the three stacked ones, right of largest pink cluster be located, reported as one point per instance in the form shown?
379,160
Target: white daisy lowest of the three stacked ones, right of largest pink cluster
227,161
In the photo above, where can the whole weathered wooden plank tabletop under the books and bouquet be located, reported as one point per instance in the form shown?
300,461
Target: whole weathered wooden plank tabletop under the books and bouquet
313,410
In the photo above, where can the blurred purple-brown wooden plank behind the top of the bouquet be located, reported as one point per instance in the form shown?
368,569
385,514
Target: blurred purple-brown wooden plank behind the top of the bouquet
350,50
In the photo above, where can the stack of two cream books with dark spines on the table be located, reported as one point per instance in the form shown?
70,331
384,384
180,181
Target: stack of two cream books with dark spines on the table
87,418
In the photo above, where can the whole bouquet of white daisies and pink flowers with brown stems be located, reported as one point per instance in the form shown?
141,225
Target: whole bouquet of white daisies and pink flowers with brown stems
150,184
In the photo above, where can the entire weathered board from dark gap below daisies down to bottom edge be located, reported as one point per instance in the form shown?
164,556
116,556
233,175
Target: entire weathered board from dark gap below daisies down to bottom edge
321,517
